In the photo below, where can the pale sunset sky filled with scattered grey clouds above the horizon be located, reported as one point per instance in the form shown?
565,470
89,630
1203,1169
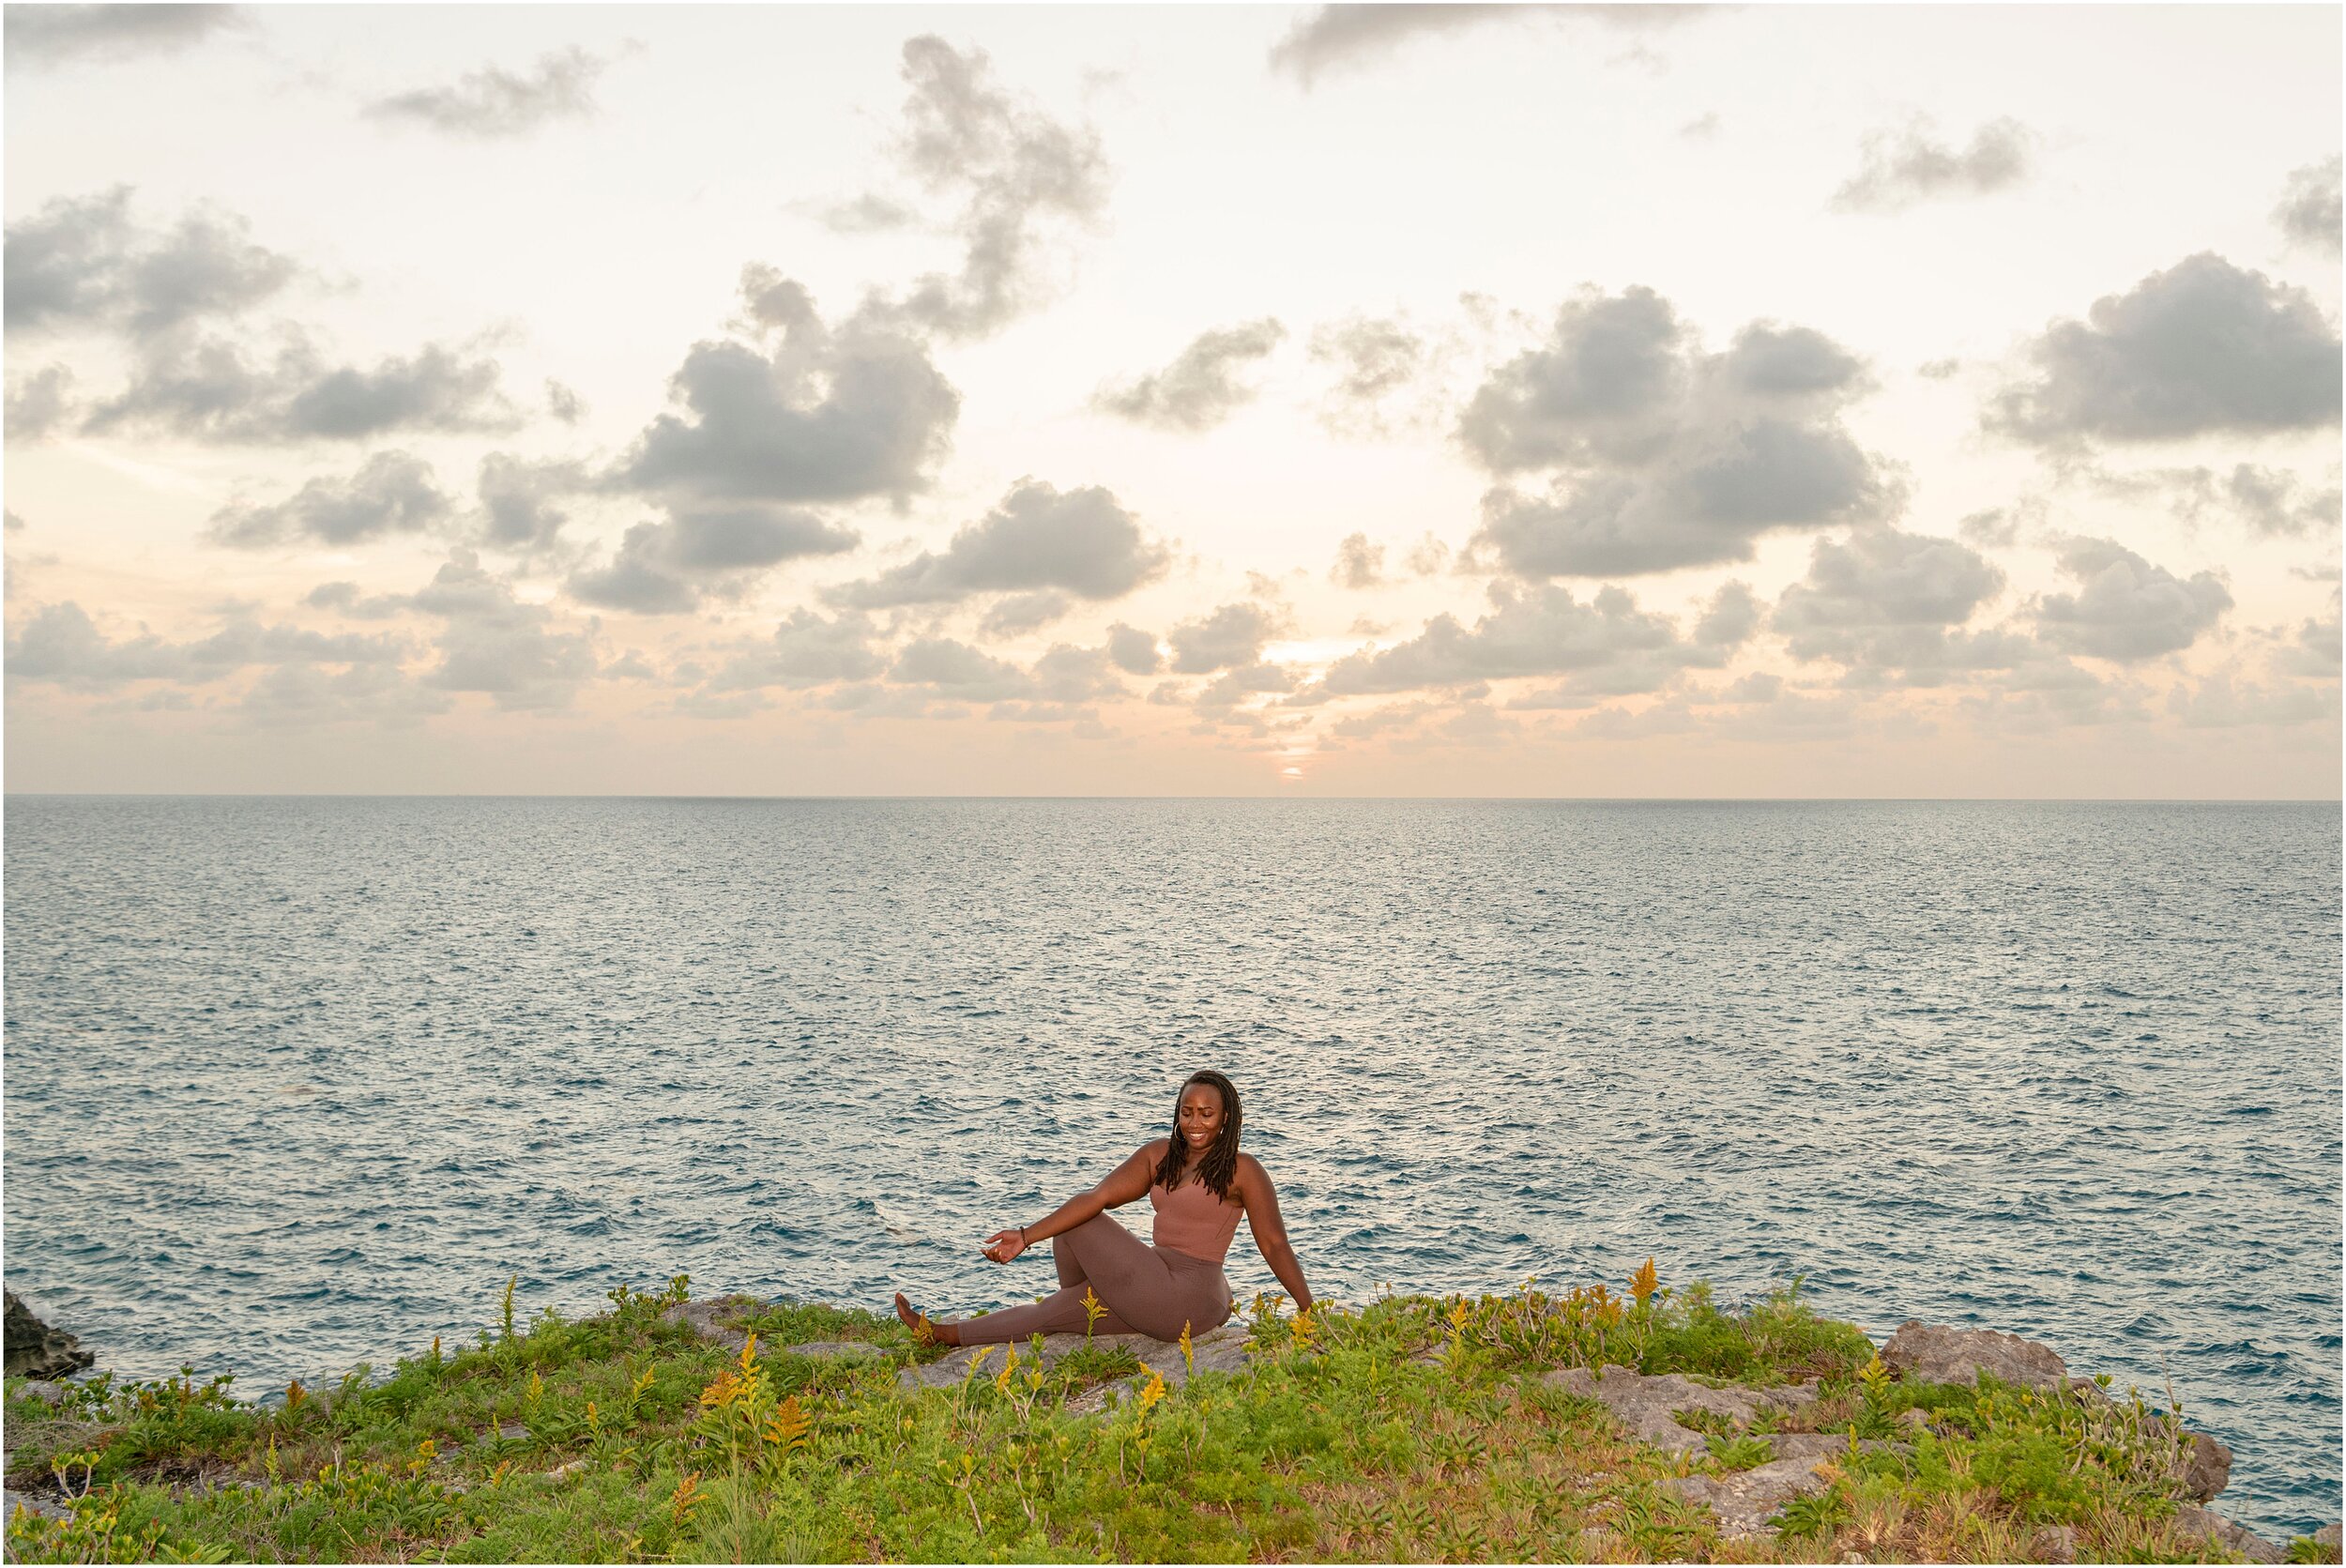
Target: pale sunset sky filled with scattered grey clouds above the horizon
1174,400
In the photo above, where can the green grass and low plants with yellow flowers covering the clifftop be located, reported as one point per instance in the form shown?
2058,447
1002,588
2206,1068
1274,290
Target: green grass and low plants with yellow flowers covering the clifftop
1404,1431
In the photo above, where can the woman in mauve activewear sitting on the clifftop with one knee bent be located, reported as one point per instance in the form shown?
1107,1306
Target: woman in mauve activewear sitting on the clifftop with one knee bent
1200,1184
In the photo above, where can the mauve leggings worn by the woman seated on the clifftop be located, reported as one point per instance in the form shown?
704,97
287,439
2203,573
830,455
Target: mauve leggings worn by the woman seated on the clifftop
1146,1290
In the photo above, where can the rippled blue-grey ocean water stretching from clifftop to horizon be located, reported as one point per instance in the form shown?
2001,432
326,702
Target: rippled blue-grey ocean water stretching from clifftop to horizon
294,1083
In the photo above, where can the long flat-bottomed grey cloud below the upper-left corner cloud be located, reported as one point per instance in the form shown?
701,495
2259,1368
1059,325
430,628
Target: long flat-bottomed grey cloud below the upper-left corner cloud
208,391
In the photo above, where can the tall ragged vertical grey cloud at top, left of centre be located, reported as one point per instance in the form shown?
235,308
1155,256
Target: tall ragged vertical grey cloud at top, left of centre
1015,170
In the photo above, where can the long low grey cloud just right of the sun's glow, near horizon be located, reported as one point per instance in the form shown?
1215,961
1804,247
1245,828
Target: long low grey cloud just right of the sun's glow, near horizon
1608,644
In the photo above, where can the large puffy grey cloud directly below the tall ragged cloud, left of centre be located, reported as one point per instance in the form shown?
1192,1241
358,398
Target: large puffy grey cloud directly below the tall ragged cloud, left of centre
825,414
